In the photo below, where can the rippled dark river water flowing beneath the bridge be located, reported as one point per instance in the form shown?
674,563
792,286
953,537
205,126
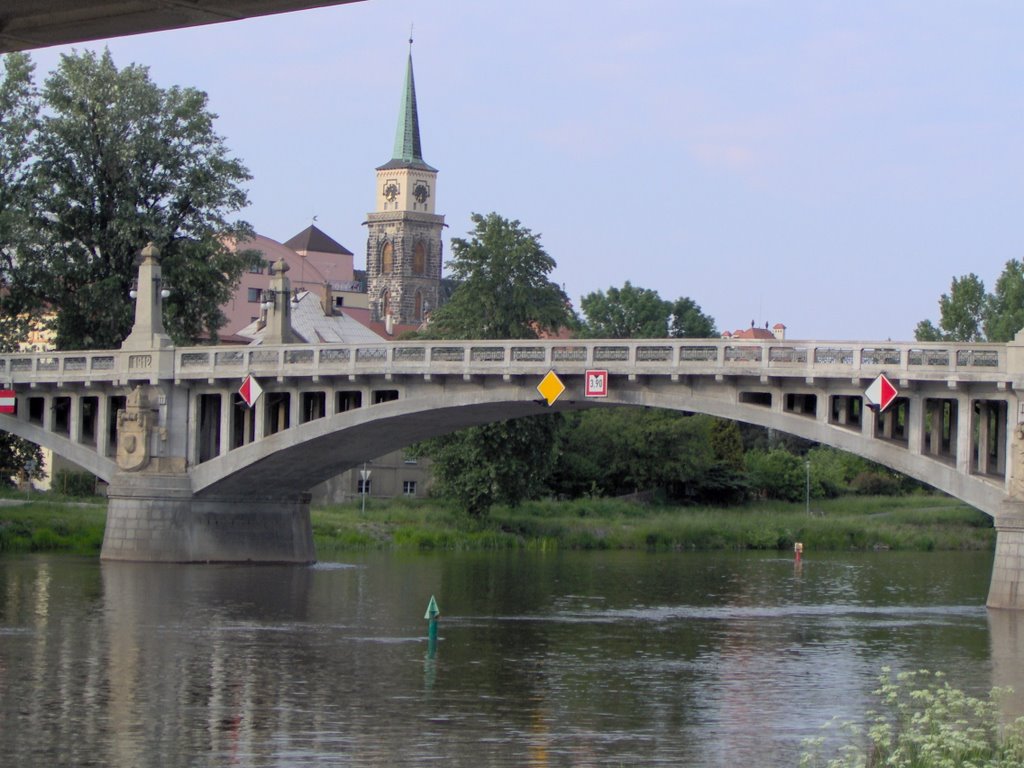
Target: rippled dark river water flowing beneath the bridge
543,660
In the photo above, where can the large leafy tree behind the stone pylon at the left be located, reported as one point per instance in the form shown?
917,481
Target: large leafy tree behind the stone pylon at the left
118,162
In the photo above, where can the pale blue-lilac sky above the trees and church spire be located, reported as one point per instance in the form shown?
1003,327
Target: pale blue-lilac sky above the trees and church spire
827,165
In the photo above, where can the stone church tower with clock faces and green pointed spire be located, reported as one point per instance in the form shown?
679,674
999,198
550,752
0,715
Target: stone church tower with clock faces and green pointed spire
404,245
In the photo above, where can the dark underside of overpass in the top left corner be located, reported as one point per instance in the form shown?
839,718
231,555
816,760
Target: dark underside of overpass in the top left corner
39,24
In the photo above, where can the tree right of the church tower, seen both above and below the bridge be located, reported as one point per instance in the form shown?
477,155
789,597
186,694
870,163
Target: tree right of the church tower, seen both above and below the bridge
505,292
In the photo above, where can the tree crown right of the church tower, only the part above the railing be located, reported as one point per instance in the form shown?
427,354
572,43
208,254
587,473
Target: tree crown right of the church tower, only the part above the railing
504,289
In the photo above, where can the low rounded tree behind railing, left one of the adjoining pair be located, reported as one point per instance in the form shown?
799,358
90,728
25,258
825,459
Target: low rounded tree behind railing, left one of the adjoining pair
627,313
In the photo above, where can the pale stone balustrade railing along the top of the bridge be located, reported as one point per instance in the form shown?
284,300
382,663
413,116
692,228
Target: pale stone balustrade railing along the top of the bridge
653,357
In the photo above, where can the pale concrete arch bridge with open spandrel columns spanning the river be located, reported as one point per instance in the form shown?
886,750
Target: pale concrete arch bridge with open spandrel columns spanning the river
197,476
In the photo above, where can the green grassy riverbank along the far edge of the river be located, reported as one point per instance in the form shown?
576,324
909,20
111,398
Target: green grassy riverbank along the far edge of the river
916,523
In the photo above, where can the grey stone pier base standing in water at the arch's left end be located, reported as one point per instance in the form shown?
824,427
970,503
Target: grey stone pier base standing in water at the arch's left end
156,519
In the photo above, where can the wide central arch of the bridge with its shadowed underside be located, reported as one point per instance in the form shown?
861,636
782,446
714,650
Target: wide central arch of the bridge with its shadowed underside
301,458
